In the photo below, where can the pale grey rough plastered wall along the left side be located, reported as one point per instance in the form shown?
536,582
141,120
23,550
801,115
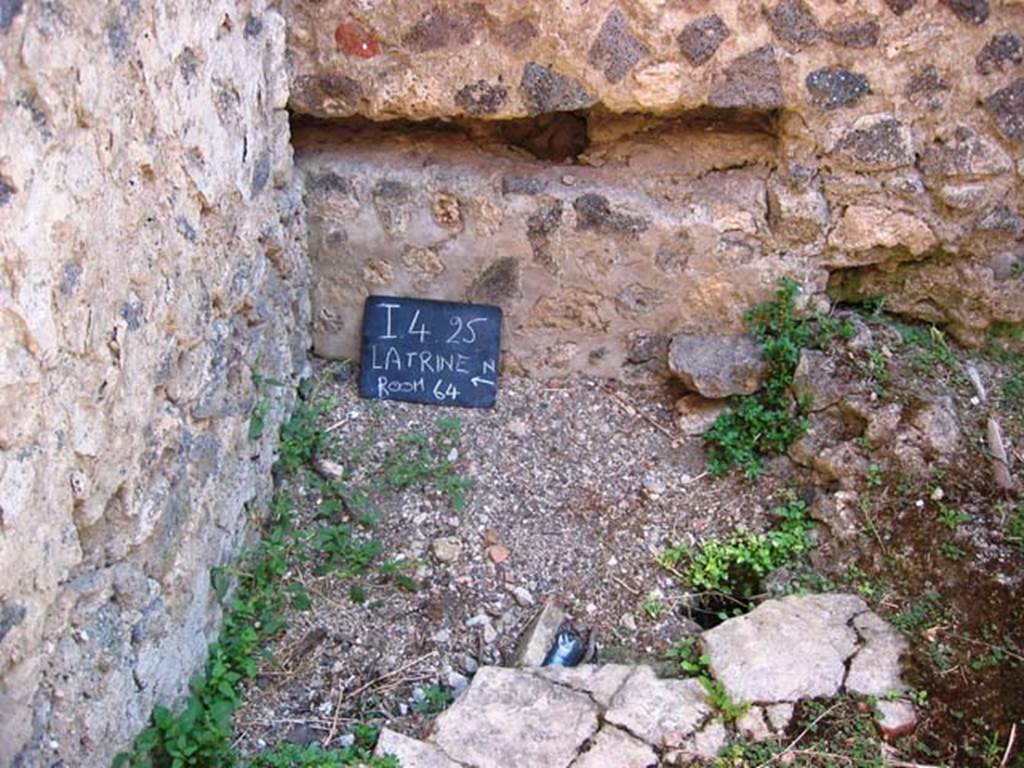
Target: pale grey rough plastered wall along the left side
152,259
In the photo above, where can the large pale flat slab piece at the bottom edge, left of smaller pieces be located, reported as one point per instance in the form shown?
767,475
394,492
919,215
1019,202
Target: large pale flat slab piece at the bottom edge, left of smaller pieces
511,717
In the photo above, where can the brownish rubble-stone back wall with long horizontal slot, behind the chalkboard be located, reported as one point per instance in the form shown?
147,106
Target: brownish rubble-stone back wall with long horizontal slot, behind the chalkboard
617,170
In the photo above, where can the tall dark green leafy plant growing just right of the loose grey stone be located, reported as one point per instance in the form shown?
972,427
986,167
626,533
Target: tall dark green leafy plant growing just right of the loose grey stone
769,422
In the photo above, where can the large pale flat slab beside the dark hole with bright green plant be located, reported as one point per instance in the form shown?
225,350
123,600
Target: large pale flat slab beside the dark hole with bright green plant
788,650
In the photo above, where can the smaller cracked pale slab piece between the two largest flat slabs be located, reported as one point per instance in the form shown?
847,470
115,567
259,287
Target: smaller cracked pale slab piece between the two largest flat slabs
660,712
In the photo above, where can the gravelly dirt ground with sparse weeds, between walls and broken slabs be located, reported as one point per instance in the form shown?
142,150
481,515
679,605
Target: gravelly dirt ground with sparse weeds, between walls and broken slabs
577,486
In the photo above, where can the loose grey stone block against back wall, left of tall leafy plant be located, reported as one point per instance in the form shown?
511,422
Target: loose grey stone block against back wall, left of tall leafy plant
717,366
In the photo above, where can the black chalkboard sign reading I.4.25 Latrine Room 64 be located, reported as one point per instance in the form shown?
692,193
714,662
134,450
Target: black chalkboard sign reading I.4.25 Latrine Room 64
437,353
